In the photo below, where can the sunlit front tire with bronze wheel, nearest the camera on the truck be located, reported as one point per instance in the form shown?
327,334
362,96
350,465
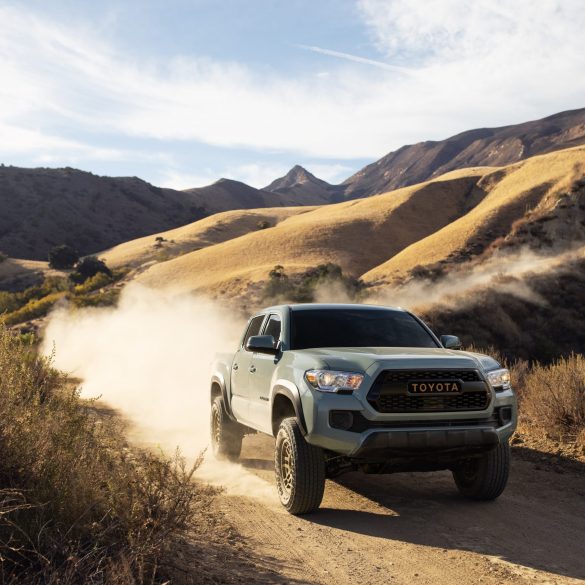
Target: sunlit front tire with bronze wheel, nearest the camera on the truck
300,469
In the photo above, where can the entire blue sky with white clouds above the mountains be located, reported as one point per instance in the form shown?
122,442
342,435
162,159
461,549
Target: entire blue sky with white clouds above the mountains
182,93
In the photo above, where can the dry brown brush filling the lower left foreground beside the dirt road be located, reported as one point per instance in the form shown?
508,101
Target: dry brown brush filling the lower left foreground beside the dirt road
76,504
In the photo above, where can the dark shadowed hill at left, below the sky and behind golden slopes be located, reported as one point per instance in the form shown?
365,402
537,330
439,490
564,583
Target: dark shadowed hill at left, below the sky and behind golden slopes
41,208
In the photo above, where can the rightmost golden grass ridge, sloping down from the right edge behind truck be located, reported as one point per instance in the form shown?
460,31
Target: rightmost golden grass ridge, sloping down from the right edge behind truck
518,194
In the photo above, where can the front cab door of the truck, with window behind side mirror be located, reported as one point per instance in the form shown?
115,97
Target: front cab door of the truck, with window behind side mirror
262,369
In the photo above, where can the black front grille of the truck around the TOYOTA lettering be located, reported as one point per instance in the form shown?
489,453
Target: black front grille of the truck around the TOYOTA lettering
389,392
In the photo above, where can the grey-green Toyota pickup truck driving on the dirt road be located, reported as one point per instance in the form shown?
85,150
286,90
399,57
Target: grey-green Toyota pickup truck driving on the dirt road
360,387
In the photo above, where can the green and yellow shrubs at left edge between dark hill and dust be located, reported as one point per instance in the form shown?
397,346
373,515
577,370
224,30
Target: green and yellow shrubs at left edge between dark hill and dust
88,285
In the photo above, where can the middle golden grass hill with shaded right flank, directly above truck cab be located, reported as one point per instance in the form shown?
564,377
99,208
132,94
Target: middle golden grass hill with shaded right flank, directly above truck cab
358,235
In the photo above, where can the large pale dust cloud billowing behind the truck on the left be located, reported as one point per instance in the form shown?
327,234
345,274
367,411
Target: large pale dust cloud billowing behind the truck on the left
150,358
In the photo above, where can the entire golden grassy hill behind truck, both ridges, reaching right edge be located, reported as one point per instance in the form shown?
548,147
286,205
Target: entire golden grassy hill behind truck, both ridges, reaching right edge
423,231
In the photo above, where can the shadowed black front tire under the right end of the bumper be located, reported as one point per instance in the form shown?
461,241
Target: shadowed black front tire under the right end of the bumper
486,477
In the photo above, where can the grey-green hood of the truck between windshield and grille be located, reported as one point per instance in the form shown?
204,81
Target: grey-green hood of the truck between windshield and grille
362,358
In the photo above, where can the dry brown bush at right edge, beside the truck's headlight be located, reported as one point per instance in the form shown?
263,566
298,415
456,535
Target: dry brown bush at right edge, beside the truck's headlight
553,396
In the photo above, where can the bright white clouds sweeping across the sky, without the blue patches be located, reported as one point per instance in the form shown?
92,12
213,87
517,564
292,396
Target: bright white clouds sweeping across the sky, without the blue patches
470,64
